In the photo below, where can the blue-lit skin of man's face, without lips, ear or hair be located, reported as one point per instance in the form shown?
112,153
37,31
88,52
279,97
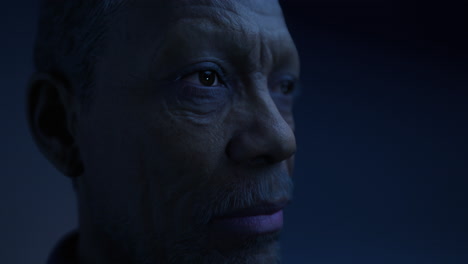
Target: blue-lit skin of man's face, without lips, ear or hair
191,118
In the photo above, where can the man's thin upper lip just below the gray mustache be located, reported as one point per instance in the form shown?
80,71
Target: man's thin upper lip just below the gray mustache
263,208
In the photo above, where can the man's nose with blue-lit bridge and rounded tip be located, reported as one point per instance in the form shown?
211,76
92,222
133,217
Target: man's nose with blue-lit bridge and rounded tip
264,137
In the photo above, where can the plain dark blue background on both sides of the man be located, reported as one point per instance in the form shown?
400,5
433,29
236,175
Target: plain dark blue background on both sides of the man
382,122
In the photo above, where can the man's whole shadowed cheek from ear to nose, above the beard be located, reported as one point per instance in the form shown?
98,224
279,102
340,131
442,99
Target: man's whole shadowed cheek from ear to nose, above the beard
146,165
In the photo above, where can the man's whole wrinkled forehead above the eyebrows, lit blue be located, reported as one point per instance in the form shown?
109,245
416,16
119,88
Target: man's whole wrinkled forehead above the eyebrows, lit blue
244,31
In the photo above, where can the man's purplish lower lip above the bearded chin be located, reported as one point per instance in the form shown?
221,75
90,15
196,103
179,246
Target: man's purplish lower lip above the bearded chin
250,225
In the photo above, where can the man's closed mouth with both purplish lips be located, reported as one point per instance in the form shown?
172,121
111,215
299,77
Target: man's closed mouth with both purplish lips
264,218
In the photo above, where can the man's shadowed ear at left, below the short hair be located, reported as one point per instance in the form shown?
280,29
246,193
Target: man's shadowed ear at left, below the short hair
51,117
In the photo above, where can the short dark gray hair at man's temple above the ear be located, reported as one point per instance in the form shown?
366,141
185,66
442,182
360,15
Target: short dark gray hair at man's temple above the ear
69,38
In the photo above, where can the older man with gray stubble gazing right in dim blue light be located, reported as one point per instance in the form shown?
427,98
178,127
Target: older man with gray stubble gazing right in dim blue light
174,120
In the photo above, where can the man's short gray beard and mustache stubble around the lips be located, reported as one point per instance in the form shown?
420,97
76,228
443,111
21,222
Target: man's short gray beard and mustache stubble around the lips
194,245
